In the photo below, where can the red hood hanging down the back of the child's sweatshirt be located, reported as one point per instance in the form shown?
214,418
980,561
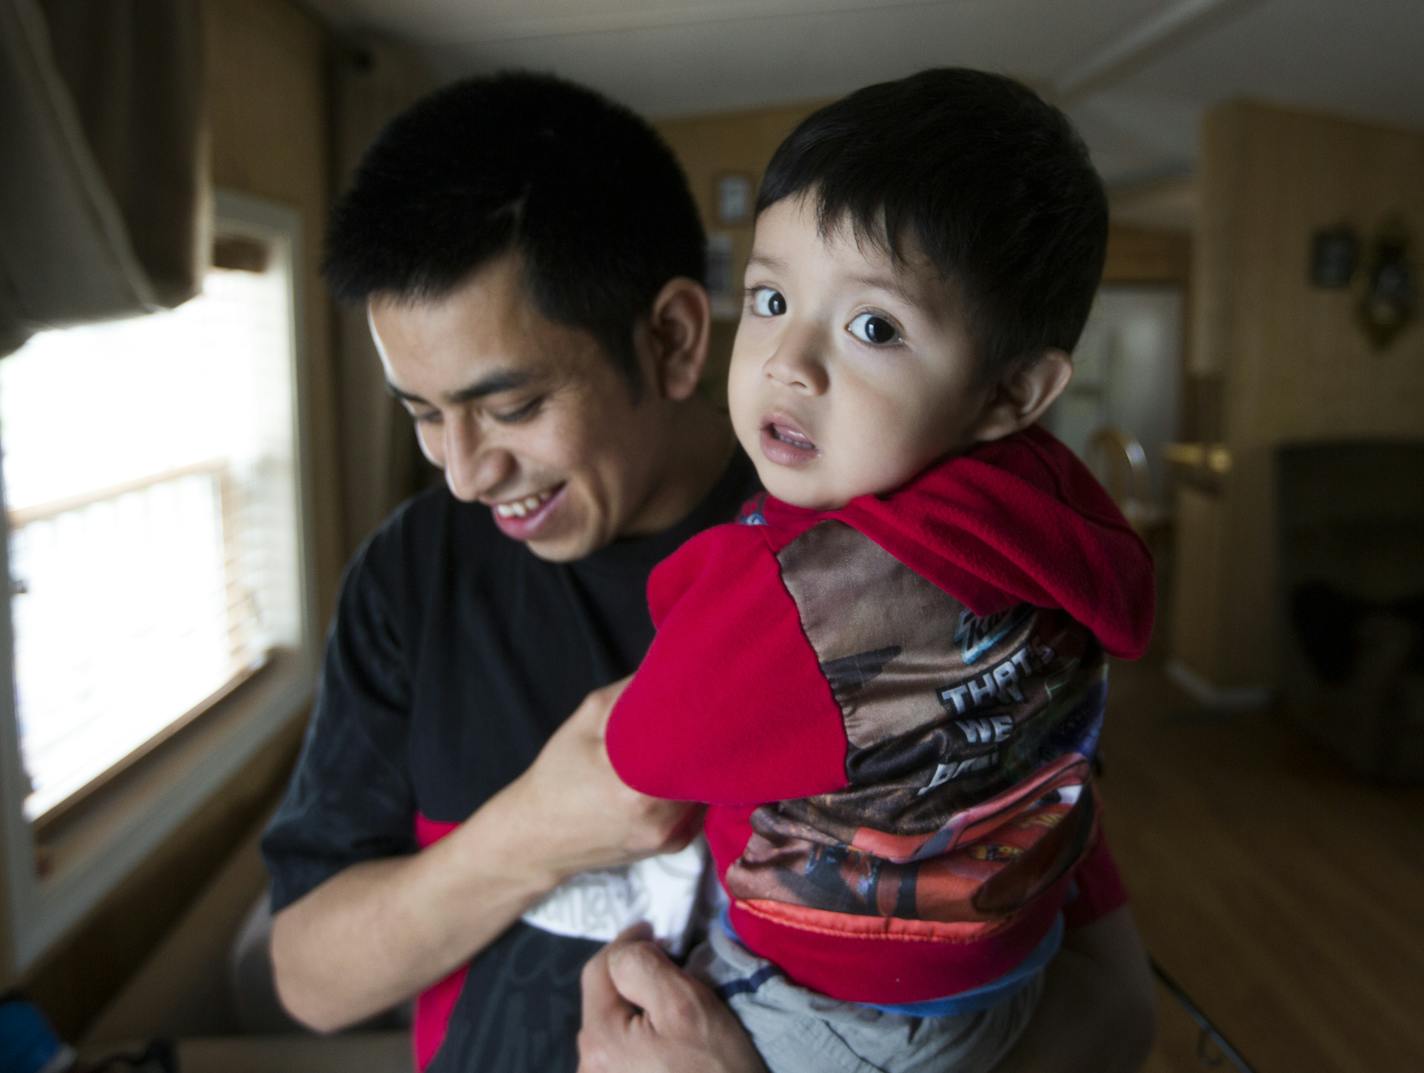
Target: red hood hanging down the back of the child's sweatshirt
1015,522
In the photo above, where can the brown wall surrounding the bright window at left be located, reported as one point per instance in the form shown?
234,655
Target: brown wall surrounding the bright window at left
267,99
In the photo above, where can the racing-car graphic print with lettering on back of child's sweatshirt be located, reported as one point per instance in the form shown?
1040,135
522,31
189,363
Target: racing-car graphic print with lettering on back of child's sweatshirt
969,749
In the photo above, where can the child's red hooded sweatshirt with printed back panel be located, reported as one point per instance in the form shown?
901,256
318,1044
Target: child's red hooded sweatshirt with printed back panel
891,709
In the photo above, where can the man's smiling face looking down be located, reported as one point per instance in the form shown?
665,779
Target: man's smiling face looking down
523,415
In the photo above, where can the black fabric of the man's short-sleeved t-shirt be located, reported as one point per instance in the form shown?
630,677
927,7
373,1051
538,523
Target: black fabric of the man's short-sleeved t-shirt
454,657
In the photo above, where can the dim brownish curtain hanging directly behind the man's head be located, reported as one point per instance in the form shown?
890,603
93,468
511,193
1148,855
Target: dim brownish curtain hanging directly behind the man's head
381,465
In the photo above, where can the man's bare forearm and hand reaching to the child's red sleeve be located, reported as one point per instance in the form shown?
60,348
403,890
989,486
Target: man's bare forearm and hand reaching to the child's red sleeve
382,930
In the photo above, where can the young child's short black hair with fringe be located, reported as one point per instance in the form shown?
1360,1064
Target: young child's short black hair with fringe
985,179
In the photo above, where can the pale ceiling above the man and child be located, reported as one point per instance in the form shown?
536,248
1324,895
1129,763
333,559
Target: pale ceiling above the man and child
1136,75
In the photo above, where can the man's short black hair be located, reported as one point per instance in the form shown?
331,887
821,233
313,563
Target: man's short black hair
580,189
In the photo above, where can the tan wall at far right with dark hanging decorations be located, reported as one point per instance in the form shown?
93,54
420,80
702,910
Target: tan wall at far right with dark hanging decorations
1287,359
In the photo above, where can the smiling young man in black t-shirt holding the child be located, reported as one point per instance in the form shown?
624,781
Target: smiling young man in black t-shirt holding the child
529,258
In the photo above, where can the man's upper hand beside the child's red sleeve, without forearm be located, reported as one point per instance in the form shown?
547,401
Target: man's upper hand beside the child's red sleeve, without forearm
580,815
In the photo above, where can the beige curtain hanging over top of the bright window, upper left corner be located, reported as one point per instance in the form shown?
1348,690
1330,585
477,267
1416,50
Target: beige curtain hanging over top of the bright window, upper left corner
103,162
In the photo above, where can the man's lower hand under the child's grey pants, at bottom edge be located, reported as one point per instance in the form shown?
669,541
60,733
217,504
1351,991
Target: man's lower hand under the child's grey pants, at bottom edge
644,1015
